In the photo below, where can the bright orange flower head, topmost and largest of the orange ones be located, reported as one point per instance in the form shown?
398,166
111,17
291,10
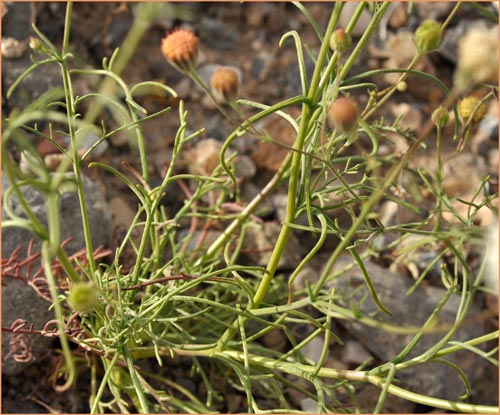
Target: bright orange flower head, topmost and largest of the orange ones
180,48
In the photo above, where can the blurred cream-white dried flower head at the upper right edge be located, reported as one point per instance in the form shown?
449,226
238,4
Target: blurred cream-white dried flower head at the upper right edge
477,58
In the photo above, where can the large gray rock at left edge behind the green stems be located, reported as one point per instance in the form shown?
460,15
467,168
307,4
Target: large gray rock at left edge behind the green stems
20,301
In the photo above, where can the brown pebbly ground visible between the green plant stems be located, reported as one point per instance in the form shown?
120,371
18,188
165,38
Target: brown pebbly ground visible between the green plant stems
245,36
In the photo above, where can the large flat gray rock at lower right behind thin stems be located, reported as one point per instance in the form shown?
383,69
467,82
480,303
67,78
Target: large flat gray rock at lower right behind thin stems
431,378
